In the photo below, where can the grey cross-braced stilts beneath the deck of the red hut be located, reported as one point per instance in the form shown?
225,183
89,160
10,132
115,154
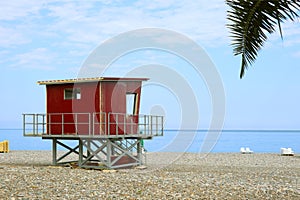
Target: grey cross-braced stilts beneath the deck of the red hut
100,153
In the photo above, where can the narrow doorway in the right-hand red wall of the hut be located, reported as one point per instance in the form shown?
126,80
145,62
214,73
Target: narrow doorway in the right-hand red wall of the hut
131,117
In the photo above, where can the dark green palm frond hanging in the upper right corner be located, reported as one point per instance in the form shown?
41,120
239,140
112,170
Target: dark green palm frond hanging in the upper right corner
251,20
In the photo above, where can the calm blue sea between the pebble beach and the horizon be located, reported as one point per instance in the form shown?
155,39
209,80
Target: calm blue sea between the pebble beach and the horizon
179,141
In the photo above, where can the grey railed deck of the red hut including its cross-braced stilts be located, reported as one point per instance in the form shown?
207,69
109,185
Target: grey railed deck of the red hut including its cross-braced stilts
117,142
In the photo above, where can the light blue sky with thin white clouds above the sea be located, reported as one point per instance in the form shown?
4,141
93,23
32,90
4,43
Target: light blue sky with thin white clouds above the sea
49,39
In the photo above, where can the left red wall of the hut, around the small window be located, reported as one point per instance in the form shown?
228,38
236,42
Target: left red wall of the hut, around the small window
89,103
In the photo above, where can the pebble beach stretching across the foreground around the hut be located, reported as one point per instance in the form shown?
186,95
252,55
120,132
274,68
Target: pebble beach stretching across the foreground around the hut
30,175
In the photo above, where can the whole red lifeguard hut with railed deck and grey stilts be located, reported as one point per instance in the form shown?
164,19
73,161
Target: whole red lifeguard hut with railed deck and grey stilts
101,115
